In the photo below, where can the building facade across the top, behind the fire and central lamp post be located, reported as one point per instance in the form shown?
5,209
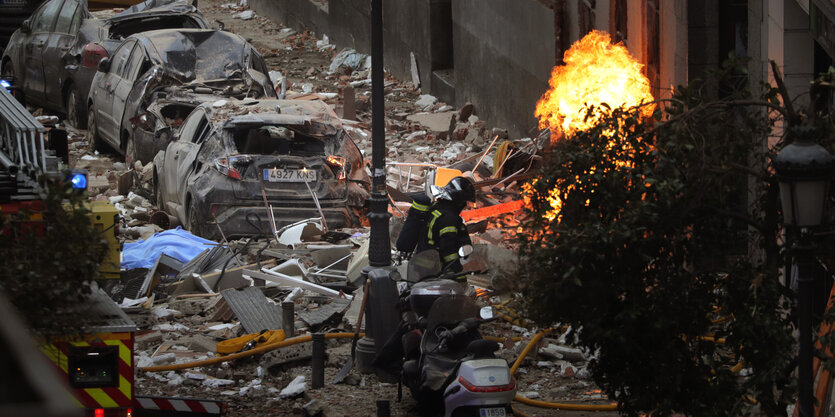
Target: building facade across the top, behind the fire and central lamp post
499,54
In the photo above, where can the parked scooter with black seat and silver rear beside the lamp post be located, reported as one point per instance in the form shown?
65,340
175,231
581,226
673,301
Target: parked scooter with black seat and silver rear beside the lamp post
446,364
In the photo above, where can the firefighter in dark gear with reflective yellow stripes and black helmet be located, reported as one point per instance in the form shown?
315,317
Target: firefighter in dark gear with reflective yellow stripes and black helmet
444,229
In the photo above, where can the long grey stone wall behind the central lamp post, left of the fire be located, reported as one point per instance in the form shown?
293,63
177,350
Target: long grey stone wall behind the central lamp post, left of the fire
497,54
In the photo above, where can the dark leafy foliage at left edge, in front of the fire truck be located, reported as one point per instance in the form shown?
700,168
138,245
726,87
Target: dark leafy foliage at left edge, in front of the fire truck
50,256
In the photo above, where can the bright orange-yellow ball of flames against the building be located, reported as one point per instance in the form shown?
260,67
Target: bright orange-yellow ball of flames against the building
595,72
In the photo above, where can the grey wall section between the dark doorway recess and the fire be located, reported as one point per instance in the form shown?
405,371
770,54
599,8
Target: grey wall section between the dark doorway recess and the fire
504,53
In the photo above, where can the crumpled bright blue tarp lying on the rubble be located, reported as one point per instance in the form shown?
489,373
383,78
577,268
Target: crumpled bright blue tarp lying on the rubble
176,243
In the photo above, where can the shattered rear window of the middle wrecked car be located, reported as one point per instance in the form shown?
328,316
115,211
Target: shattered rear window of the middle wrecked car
199,56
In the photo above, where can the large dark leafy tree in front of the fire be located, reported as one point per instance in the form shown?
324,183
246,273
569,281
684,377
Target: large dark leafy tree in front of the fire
650,254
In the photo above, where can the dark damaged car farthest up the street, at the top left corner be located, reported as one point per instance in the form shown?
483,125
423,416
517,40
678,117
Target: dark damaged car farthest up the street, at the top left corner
53,56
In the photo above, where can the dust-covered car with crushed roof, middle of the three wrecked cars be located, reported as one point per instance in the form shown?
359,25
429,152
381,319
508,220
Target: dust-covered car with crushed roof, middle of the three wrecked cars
153,81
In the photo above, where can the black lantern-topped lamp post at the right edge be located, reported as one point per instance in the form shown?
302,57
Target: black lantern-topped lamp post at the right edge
804,169
